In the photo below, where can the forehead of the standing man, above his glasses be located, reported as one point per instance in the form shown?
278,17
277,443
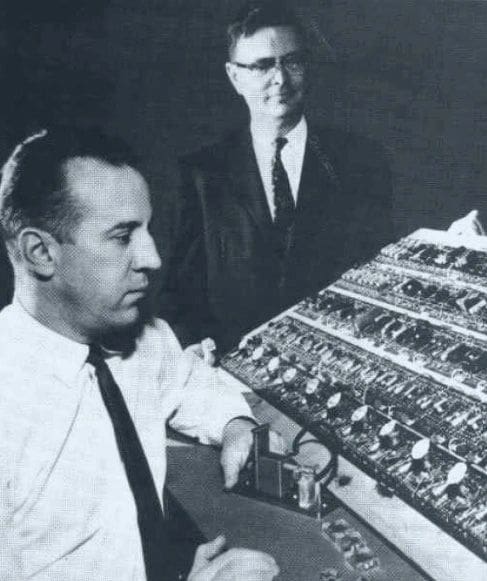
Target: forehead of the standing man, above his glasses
266,42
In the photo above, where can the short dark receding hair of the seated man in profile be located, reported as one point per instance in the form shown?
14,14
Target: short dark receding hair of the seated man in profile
33,189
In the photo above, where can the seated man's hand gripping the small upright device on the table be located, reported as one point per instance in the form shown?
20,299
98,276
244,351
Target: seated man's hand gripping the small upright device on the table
236,444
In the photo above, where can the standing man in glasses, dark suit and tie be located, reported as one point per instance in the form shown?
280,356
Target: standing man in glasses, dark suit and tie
275,211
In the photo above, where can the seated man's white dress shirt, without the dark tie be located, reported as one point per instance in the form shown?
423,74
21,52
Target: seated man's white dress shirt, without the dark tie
66,509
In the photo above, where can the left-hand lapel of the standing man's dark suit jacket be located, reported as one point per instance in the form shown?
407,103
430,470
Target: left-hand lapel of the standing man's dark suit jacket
247,189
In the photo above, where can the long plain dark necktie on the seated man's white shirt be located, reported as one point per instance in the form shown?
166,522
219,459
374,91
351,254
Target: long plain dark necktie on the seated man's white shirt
152,527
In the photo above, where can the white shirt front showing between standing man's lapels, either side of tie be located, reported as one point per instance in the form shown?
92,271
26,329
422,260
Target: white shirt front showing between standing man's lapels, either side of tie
292,156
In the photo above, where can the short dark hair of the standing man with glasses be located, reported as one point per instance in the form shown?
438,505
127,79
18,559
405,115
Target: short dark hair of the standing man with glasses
253,16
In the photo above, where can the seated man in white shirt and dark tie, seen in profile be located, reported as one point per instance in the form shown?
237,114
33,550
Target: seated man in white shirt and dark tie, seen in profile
75,214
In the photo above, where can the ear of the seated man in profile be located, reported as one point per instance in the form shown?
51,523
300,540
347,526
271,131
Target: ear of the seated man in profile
38,250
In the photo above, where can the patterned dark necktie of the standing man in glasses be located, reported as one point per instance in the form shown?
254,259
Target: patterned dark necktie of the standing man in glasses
283,200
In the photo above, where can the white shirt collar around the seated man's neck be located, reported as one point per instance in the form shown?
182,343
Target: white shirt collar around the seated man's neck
64,356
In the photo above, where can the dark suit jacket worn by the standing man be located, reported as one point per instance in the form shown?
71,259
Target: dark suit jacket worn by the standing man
225,278
